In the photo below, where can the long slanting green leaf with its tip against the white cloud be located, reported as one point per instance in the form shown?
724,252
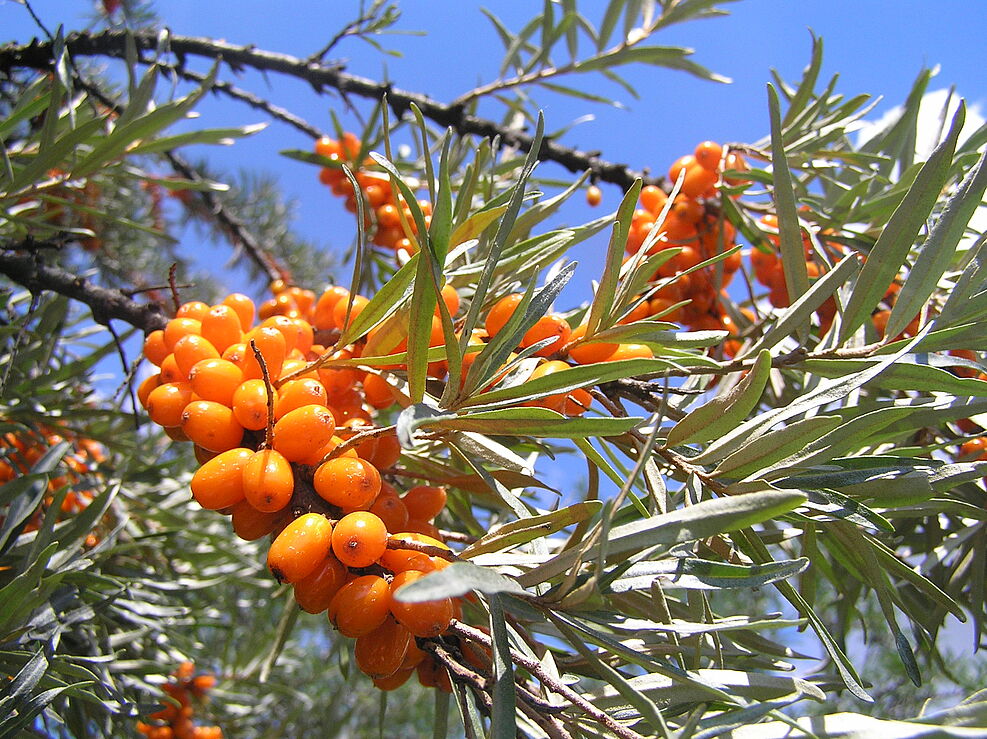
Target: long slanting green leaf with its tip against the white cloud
895,241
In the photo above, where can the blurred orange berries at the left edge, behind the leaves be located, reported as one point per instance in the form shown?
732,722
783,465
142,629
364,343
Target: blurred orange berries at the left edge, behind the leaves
20,451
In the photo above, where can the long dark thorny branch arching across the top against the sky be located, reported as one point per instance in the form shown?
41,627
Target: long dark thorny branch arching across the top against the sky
37,54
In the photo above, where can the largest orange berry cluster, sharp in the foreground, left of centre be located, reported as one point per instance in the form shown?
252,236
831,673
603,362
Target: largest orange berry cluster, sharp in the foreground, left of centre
266,437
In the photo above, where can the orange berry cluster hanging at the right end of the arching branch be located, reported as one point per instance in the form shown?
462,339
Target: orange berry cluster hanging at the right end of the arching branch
697,229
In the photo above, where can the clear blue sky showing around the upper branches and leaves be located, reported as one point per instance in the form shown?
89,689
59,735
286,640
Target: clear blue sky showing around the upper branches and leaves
876,46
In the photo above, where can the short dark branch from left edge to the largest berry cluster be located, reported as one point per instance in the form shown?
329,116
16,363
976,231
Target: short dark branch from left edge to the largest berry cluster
106,304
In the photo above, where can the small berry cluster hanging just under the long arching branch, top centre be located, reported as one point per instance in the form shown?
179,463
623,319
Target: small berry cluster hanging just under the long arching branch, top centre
387,213
